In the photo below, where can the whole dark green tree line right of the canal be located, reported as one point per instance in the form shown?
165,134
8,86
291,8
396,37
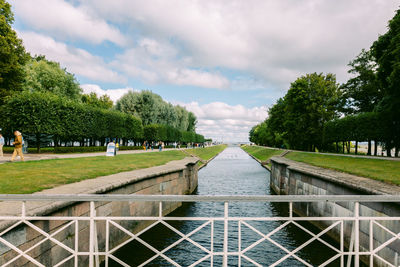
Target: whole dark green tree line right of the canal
317,113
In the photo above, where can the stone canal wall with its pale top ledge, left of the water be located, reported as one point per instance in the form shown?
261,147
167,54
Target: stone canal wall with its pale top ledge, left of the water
173,178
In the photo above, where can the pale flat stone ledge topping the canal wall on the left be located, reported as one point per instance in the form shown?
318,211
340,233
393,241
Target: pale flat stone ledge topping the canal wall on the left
99,185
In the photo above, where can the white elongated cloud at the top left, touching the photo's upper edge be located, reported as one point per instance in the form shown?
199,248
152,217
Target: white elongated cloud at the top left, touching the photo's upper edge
67,22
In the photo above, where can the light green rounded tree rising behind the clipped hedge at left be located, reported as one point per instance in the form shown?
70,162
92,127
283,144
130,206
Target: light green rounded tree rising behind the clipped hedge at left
48,76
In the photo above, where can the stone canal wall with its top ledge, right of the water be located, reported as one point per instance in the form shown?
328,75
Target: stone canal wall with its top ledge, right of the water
294,178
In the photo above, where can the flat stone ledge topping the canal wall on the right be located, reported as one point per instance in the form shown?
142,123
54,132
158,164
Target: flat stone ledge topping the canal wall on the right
362,184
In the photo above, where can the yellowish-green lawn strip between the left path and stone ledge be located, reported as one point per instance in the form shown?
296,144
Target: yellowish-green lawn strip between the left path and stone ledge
32,176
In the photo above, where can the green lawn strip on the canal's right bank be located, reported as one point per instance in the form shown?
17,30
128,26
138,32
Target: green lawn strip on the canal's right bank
383,170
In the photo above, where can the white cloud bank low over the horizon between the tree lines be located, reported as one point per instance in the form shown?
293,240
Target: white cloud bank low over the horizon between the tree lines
224,122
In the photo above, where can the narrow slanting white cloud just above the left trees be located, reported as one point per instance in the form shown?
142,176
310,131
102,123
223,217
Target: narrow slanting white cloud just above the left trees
76,60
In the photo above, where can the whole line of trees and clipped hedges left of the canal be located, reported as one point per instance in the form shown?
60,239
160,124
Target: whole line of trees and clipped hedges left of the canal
45,102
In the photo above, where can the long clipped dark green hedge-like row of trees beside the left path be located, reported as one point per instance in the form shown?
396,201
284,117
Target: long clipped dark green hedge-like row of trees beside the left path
39,113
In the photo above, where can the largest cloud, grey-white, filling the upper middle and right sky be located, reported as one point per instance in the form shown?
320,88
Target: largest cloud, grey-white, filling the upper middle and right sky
274,41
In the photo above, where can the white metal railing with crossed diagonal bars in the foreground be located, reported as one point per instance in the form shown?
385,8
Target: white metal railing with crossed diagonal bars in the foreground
344,252
